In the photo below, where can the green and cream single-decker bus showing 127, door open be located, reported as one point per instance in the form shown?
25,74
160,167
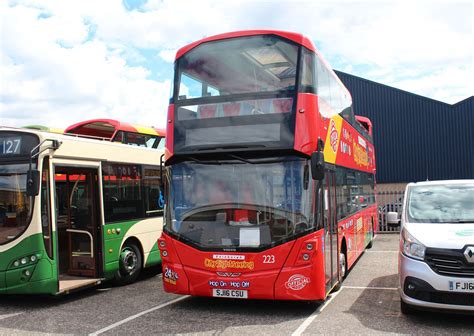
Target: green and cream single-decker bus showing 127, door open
75,211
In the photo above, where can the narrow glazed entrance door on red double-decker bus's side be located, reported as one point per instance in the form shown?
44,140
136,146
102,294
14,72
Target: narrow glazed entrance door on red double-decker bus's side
330,230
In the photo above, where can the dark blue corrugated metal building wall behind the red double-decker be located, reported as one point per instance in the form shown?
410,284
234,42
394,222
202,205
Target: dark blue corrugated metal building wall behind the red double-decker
415,137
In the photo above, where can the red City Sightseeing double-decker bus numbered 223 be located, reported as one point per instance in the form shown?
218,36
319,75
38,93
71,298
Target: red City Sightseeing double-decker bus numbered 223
270,176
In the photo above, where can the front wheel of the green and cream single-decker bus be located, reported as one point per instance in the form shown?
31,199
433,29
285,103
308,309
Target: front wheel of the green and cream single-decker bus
130,264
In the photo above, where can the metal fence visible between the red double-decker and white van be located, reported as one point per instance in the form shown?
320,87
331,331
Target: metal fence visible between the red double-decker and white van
389,201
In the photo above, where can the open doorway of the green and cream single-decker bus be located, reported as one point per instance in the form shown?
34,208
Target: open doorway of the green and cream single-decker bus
78,224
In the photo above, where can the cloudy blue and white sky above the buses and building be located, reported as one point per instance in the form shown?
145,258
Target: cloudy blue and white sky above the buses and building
66,61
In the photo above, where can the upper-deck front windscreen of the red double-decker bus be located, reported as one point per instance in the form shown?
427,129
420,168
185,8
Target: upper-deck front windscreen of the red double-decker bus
237,66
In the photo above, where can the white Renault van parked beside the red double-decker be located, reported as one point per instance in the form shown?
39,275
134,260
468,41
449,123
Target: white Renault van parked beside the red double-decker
436,259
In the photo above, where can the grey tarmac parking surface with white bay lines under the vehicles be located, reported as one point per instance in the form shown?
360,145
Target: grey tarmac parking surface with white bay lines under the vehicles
368,303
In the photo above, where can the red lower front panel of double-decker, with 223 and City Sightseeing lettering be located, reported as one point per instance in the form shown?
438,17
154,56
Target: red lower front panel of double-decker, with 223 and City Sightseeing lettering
277,273
